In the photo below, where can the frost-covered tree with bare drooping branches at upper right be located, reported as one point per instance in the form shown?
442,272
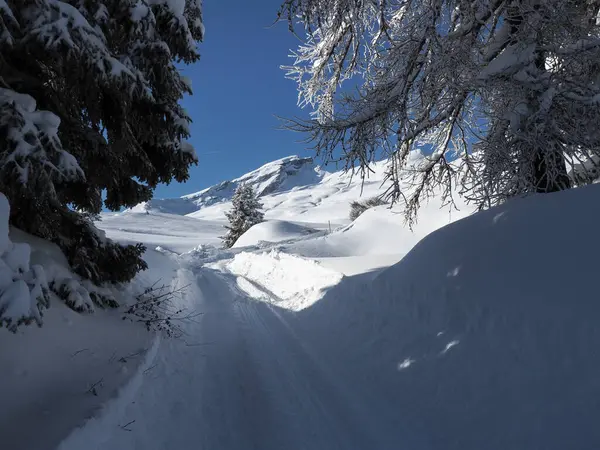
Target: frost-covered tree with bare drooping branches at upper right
510,86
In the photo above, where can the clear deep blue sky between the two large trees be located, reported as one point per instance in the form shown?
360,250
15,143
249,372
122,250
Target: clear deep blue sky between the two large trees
238,90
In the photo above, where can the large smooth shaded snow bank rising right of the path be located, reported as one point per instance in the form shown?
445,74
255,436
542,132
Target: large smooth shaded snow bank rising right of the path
485,335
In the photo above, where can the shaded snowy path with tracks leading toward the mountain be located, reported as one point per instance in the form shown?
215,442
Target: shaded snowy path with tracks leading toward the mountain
241,380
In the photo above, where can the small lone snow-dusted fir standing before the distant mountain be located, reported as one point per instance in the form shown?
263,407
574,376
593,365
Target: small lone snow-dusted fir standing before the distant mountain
245,213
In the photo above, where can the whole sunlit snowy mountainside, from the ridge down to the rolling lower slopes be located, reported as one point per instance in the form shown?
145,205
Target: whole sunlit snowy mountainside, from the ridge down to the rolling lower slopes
299,199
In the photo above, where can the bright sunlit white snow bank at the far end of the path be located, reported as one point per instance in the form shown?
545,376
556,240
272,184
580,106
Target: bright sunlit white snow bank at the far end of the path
288,281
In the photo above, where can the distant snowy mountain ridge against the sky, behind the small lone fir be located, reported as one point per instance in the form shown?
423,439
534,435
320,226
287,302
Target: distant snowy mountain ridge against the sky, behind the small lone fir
296,190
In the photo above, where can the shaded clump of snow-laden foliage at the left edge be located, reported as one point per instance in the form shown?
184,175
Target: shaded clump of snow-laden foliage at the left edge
23,288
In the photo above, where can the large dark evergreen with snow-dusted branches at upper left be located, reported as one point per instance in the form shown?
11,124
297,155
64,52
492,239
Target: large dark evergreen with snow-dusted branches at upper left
89,106
